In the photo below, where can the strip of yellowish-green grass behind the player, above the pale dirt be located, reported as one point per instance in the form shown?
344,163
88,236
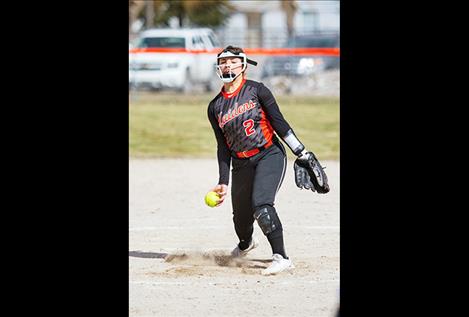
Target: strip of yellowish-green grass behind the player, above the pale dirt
173,125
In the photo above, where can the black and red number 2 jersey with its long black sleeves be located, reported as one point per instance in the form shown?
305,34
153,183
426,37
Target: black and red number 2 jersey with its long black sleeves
243,121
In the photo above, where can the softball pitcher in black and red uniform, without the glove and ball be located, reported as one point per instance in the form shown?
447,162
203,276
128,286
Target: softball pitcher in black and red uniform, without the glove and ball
247,123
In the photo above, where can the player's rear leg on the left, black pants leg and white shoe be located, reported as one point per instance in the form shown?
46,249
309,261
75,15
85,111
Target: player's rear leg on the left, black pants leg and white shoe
241,198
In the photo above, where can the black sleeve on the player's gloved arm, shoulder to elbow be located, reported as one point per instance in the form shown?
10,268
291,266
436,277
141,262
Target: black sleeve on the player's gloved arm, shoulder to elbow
272,111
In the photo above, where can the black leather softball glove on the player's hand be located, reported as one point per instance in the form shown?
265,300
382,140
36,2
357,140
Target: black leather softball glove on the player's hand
309,173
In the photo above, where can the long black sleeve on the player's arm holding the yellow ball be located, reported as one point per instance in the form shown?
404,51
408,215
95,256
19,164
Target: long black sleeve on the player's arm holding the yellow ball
223,153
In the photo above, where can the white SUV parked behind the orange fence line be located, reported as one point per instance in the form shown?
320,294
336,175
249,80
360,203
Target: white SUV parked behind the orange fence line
174,58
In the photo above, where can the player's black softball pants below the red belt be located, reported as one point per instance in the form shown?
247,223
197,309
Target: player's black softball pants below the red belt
255,183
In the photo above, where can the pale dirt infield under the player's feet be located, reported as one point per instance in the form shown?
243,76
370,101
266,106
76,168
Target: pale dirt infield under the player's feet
179,262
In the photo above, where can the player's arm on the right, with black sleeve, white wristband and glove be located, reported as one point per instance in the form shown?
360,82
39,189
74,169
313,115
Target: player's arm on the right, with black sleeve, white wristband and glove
309,173
